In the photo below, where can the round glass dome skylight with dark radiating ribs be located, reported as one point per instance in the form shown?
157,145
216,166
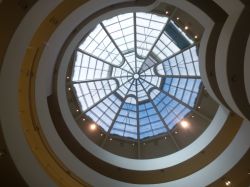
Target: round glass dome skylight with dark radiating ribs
136,75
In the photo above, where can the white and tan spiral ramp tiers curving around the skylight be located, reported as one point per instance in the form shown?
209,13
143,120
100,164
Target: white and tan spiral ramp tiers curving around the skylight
38,146
